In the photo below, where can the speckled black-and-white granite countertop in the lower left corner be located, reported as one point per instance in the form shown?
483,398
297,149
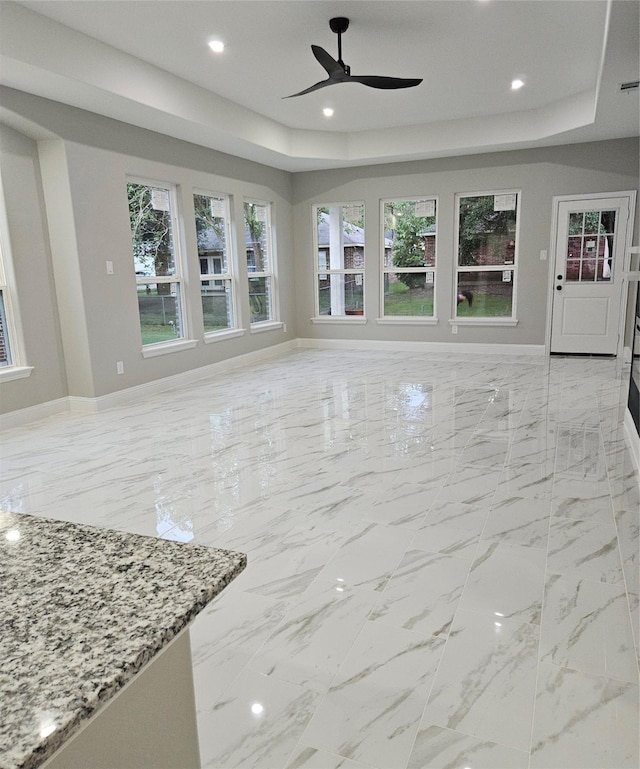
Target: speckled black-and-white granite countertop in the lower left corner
83,609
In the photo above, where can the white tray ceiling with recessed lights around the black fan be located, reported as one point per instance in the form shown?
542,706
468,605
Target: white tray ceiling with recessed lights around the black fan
147,62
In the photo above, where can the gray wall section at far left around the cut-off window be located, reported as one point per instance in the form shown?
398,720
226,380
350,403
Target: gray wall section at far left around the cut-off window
28,242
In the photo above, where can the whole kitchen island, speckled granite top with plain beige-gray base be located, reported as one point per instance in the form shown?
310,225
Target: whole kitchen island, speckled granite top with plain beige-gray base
94,646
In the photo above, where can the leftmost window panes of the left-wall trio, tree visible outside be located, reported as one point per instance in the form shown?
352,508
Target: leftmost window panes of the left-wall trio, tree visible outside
157,261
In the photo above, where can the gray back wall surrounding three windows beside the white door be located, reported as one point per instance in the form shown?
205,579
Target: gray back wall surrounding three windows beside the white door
538,173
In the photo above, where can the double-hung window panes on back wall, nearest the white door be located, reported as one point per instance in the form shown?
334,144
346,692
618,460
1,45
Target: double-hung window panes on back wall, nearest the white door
487,255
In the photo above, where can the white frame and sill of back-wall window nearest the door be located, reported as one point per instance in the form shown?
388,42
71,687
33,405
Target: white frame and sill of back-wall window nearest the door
487,320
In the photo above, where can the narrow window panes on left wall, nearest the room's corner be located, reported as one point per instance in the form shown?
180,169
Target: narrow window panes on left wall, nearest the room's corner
257,223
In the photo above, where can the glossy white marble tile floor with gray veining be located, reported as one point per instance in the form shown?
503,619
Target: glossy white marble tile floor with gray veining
443,553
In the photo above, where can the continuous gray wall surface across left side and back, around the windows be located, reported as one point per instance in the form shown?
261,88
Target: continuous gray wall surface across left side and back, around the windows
67,209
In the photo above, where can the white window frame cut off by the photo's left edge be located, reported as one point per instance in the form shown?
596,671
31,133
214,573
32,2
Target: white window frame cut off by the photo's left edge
17,368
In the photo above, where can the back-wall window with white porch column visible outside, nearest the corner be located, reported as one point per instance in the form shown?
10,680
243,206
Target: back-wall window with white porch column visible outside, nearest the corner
339,245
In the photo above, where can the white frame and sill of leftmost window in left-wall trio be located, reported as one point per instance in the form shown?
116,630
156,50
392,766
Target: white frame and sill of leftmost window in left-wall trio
179,277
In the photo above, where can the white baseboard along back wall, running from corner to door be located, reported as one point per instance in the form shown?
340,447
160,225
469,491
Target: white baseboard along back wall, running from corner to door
432,347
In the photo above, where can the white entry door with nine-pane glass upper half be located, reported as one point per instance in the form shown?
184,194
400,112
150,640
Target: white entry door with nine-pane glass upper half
589,263
